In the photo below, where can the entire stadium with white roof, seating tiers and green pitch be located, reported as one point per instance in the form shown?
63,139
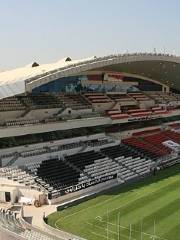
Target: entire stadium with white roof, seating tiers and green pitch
90,148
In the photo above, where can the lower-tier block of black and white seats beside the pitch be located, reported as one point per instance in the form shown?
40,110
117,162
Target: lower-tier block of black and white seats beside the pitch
81,170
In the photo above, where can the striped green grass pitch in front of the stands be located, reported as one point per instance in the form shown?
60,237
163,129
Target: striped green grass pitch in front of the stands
152,205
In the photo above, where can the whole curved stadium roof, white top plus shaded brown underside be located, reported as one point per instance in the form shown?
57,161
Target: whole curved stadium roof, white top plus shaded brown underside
159,67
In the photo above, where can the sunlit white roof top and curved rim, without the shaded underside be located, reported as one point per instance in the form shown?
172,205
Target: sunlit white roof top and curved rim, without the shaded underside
24,79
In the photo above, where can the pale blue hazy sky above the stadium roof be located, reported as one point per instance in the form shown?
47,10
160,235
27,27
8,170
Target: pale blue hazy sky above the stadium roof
49,30
